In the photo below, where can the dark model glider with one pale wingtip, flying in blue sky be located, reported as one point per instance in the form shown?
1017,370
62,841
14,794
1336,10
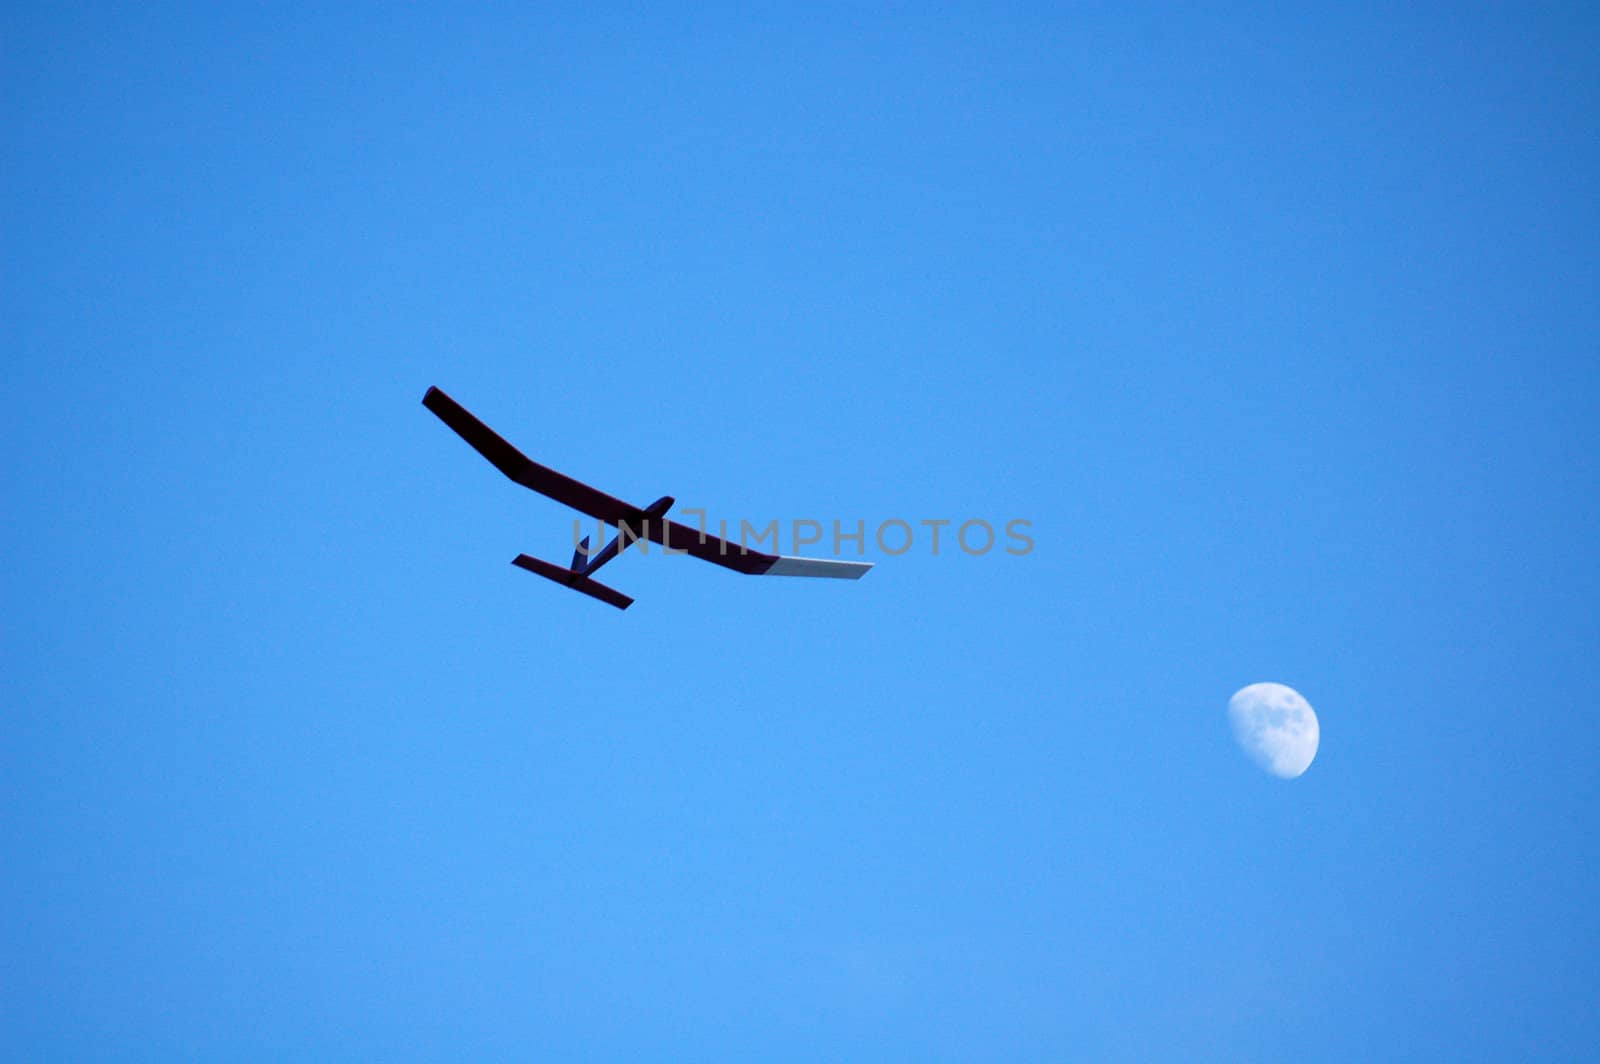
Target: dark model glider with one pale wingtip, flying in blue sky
633,522
